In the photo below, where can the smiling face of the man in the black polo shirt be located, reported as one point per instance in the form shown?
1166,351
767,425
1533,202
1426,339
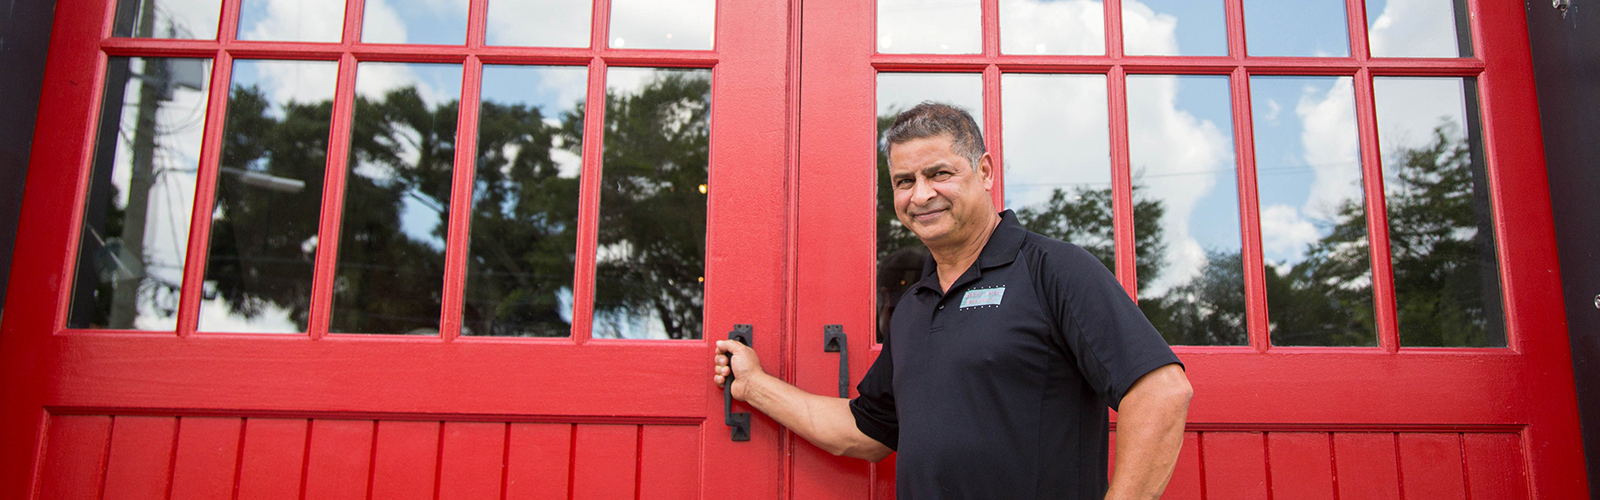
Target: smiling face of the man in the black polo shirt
938,195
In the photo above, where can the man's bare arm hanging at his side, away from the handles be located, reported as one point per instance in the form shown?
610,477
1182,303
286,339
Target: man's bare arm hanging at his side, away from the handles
1150,433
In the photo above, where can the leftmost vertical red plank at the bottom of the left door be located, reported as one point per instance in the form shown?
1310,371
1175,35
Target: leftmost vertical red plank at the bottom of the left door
76,458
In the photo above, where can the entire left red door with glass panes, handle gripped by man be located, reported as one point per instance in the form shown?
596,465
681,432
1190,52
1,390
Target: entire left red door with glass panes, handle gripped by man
399,249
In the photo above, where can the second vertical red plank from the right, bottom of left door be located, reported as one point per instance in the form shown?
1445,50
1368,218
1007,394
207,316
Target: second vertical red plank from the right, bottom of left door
606,462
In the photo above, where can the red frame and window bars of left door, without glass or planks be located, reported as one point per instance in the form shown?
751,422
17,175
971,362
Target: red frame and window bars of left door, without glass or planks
52,371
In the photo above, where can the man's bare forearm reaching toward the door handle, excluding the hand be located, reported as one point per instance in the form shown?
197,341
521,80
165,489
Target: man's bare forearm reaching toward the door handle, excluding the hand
822,421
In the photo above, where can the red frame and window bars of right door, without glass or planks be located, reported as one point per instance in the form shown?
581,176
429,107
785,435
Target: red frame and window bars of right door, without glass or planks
1526,389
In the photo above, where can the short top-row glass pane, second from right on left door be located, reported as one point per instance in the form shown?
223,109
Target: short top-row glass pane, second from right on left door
540,23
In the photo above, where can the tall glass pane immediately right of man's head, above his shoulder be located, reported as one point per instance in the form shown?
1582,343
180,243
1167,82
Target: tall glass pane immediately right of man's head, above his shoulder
1058,159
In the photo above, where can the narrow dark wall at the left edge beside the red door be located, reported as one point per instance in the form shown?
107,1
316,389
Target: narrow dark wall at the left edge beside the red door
25,36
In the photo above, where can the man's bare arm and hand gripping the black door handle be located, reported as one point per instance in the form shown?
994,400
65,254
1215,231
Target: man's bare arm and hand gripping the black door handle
822,421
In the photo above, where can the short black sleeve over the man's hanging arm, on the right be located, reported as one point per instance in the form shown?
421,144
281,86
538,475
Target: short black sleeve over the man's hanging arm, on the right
1100,325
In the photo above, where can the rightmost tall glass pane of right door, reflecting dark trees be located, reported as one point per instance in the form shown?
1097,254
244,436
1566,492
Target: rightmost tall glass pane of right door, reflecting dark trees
1441,220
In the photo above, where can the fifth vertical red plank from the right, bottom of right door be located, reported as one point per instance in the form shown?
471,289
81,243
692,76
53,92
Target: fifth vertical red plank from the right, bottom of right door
1236,466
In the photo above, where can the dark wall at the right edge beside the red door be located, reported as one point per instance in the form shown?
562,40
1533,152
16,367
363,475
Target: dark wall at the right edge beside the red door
1567,70
